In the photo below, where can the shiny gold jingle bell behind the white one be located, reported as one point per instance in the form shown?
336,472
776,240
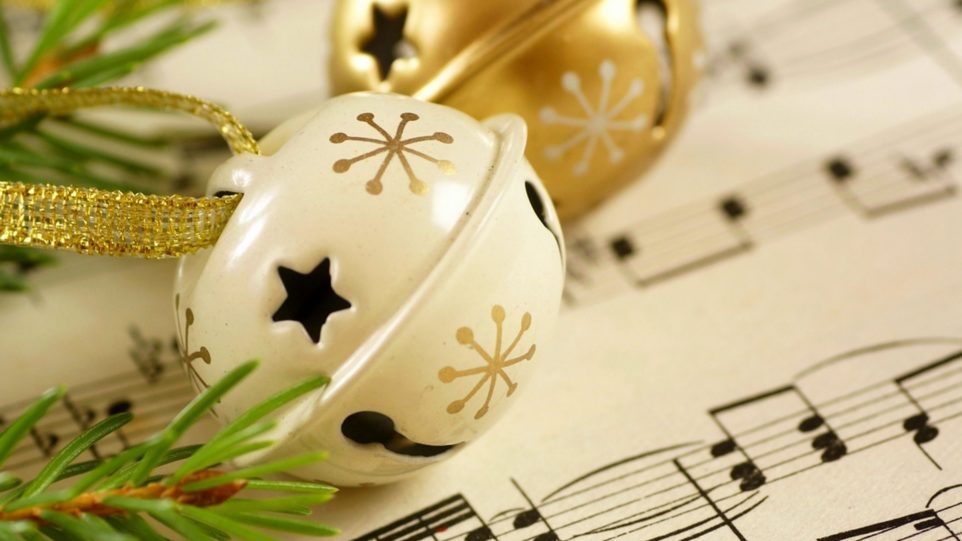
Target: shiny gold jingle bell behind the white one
602,84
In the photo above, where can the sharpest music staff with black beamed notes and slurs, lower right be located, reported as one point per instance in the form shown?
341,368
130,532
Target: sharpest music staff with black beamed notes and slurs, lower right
688,491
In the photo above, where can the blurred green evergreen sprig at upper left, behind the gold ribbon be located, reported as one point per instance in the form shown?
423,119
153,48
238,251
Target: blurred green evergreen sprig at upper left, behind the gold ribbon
67,53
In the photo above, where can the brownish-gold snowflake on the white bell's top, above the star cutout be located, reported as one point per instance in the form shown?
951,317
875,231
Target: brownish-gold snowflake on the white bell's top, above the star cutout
393,146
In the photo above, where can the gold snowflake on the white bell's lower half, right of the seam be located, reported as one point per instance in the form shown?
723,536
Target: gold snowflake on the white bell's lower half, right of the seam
495,363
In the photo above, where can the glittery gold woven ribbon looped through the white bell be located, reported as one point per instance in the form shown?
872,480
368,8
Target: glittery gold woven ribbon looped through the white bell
93,221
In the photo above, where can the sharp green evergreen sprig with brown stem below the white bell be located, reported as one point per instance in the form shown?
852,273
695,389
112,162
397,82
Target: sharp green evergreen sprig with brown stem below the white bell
126,498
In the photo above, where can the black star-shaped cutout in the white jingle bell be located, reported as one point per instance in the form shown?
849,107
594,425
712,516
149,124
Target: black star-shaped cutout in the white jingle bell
311,298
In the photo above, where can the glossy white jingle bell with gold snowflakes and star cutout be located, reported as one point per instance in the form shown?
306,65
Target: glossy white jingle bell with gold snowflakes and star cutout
400,247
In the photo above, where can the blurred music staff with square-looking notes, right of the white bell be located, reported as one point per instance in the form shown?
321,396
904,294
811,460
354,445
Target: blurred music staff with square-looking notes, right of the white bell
885,177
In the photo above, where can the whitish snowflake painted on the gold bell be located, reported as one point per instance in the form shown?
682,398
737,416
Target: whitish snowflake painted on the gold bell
596,123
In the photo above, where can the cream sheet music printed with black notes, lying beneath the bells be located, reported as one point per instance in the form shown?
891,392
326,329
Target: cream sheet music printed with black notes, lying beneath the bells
761,341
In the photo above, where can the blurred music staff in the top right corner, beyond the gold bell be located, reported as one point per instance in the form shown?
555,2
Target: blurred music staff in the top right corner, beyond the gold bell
776,47
